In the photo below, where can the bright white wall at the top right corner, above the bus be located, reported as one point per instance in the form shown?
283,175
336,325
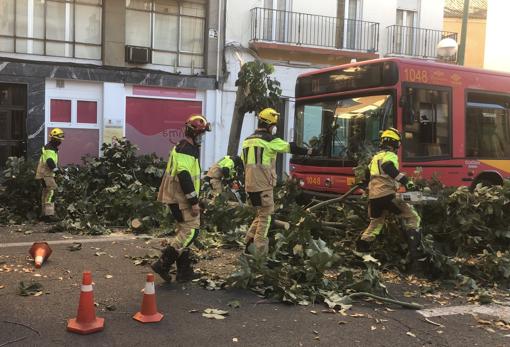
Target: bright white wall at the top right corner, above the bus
497,50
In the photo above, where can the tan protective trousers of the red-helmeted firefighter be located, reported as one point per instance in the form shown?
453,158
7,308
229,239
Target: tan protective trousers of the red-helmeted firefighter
187,227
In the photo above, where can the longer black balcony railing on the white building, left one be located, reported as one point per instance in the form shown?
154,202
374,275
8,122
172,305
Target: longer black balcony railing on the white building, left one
312,30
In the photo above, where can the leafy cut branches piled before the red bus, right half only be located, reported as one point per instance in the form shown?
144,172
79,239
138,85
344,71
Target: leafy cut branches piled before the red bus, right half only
466,239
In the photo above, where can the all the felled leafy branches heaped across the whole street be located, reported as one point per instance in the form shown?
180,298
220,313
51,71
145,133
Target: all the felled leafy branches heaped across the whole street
466,234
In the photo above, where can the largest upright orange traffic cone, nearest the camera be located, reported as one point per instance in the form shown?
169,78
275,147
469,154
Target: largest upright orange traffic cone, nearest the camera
86,321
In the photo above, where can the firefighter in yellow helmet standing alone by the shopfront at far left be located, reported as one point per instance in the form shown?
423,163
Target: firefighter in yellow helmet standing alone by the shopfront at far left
46,170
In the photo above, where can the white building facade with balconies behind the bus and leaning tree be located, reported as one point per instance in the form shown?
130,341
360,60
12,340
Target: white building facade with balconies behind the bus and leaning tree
297,36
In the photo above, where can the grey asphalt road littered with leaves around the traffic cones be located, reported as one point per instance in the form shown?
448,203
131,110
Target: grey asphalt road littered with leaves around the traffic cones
41,320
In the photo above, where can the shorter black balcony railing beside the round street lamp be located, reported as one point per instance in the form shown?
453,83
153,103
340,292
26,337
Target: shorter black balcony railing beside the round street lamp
417,42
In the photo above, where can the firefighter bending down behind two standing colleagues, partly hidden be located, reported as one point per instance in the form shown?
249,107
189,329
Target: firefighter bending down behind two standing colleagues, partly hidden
223,173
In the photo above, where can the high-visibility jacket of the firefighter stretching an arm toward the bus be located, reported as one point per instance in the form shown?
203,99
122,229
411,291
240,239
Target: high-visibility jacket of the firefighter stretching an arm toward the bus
259,153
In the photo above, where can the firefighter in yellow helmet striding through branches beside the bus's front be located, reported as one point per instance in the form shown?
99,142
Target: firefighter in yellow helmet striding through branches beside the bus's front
384,179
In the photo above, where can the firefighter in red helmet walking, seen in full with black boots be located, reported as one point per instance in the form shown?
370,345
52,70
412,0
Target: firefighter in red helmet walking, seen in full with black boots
179,189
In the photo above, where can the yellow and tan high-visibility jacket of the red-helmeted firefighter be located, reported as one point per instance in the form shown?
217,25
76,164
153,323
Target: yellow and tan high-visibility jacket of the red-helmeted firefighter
181,181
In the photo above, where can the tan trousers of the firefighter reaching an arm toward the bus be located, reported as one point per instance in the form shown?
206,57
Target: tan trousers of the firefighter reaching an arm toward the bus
257,233
